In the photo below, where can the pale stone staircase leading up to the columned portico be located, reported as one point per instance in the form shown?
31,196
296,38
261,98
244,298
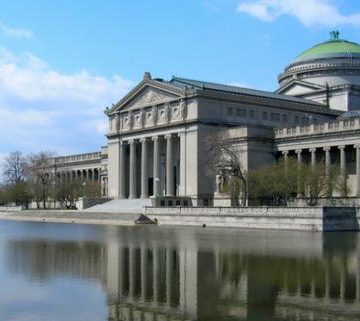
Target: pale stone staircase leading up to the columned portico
121,206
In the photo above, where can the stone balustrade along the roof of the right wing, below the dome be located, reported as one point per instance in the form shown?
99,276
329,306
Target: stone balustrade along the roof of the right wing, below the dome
313,129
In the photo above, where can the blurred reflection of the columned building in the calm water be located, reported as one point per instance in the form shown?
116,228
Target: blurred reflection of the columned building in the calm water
165,274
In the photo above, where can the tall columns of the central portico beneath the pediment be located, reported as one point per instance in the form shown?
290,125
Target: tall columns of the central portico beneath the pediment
164,150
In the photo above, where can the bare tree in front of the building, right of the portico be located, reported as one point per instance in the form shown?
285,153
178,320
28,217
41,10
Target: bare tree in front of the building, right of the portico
224,155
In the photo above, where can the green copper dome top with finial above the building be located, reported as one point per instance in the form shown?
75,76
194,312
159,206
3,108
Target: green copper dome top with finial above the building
334,48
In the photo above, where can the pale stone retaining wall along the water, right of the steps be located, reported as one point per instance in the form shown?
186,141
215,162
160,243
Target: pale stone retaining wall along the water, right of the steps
283,218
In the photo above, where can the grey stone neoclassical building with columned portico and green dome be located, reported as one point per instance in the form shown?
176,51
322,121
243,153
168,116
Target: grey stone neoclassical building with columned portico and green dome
157,132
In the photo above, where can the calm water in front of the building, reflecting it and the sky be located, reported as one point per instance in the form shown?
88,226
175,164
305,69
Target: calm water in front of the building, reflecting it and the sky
78,272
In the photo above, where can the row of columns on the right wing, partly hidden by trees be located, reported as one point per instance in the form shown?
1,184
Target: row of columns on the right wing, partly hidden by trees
327,152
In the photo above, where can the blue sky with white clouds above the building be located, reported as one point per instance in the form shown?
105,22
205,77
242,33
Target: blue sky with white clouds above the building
63,62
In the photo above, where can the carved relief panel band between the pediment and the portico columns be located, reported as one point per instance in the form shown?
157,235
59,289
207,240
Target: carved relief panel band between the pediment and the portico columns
160,114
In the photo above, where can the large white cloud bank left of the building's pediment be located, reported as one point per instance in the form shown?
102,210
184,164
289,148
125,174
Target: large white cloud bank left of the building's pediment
44,109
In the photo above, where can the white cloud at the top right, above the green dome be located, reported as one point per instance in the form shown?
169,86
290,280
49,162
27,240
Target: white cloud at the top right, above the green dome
308,12
